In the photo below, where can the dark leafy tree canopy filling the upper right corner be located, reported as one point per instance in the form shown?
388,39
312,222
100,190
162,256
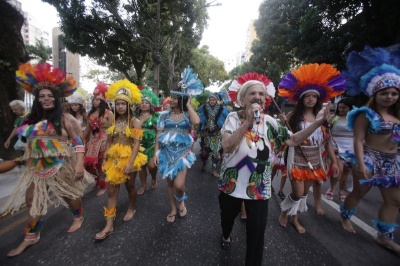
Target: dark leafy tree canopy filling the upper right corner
293,32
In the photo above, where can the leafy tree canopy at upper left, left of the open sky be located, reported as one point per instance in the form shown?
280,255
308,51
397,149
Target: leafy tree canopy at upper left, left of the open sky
121,34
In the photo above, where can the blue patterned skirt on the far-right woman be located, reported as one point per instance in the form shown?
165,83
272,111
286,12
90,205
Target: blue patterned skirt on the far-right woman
384,168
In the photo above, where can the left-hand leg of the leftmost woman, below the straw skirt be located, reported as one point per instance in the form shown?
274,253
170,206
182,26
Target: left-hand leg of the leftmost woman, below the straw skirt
33,228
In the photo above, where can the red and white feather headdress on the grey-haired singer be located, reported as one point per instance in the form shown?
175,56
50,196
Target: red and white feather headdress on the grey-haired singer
236,90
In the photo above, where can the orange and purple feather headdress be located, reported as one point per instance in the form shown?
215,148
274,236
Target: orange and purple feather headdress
323,79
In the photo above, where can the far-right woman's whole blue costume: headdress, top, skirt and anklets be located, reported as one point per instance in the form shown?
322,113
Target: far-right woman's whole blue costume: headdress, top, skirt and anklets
369,72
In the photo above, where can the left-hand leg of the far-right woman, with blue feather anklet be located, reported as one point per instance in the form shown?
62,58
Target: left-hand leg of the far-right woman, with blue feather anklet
348,209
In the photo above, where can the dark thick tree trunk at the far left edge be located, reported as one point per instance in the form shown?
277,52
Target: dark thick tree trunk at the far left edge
12,54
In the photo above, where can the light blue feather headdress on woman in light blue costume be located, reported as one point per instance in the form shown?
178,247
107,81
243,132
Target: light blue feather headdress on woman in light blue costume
189,85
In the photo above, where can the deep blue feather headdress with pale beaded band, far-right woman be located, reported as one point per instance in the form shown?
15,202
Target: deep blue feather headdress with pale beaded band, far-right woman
372,70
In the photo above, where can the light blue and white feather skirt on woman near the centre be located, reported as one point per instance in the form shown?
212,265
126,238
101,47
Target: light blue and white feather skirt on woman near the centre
175,154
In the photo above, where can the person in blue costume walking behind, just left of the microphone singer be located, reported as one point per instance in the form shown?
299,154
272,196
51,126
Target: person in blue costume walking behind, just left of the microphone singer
211,121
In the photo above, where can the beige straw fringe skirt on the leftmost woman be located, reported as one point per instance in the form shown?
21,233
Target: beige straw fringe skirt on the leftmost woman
50,184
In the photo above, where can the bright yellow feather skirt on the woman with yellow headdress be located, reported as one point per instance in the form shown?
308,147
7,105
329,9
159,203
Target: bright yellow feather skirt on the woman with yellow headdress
117,157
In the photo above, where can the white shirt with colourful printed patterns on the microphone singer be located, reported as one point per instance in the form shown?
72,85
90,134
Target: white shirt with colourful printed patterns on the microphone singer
246,172
